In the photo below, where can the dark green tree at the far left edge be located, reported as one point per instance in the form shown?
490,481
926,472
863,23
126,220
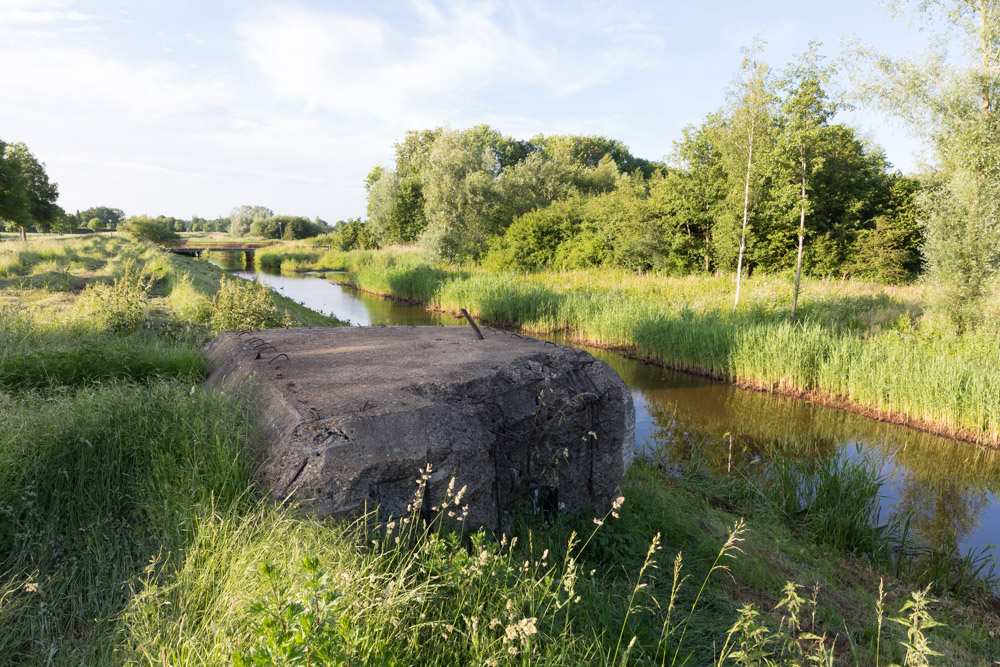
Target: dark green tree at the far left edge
26,195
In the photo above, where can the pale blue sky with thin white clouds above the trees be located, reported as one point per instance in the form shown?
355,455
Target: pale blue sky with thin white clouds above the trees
191,107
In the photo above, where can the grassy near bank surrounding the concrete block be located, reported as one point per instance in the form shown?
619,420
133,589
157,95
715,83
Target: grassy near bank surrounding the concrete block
131,531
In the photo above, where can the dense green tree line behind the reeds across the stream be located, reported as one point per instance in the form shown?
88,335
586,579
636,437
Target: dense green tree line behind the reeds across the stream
575,201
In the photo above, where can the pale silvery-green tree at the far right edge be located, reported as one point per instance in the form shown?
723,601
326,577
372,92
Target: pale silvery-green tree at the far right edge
953,106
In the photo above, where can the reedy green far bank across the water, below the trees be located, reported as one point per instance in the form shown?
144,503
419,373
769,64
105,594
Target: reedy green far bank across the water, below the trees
870,349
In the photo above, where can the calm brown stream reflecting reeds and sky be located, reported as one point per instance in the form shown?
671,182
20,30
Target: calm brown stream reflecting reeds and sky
951,487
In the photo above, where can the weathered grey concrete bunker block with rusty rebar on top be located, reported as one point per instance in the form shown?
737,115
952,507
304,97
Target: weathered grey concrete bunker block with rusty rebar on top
352,414
